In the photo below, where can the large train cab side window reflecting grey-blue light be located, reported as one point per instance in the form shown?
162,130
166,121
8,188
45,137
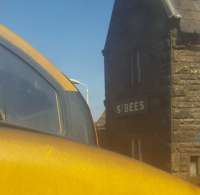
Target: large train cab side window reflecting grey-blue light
28,99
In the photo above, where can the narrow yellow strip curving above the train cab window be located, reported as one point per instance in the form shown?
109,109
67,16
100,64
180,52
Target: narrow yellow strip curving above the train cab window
15,40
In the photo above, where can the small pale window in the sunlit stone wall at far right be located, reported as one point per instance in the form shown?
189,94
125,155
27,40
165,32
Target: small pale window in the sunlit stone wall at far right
194,166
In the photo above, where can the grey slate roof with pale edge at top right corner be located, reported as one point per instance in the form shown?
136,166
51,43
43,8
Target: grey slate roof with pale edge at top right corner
188,11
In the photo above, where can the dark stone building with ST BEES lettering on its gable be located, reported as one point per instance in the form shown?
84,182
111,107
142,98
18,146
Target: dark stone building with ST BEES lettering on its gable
152,82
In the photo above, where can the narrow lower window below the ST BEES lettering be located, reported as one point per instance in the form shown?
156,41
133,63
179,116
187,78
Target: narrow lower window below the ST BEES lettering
136,149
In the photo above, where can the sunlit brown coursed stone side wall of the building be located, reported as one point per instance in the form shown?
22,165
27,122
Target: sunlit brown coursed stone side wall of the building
185,108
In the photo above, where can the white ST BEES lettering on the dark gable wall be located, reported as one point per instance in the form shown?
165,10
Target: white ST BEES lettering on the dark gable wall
129,107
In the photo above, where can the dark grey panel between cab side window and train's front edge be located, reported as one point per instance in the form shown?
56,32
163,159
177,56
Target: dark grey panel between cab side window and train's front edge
81,126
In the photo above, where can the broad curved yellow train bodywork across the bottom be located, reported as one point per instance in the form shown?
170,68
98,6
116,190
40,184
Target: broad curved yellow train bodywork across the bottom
36,164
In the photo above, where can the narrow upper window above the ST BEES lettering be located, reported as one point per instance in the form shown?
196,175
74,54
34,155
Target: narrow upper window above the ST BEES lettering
136,69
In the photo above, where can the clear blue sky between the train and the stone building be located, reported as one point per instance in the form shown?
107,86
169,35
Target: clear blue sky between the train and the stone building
70,33
